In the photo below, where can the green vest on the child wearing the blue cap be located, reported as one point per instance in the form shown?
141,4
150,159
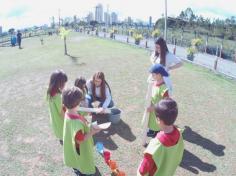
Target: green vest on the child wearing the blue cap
157,95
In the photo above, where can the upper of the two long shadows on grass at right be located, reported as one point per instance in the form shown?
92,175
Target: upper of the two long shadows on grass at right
193,137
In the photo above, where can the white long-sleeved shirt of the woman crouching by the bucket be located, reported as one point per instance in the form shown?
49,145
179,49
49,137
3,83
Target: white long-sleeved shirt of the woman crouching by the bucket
98,93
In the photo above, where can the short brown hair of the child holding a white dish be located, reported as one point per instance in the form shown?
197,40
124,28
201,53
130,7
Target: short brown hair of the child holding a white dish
72,97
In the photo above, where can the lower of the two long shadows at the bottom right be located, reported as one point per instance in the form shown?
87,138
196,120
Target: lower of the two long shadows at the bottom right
193,164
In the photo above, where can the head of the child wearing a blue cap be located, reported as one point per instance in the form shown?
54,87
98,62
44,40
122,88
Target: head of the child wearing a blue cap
158,71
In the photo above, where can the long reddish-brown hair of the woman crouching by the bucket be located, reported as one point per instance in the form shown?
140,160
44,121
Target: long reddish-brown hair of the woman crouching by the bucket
100,75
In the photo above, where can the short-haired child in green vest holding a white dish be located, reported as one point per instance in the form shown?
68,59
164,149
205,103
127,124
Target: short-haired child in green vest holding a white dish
77,136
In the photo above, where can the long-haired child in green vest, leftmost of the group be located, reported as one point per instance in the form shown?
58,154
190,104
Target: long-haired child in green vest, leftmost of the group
57,83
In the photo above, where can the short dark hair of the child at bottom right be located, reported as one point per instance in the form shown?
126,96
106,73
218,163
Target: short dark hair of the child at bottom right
167,111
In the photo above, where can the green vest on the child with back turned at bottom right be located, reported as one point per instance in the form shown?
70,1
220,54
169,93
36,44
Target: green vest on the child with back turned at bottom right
166,159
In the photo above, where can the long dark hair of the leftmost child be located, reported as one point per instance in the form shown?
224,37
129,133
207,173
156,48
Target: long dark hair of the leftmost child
57,79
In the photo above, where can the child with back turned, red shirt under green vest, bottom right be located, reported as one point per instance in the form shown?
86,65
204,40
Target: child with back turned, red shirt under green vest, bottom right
164,153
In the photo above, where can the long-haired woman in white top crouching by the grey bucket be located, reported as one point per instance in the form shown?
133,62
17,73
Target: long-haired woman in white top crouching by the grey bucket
99,91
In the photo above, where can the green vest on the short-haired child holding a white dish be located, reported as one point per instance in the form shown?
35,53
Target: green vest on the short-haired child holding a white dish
84,161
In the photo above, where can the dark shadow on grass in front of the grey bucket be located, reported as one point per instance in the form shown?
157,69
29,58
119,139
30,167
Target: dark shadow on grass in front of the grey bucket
122,129
